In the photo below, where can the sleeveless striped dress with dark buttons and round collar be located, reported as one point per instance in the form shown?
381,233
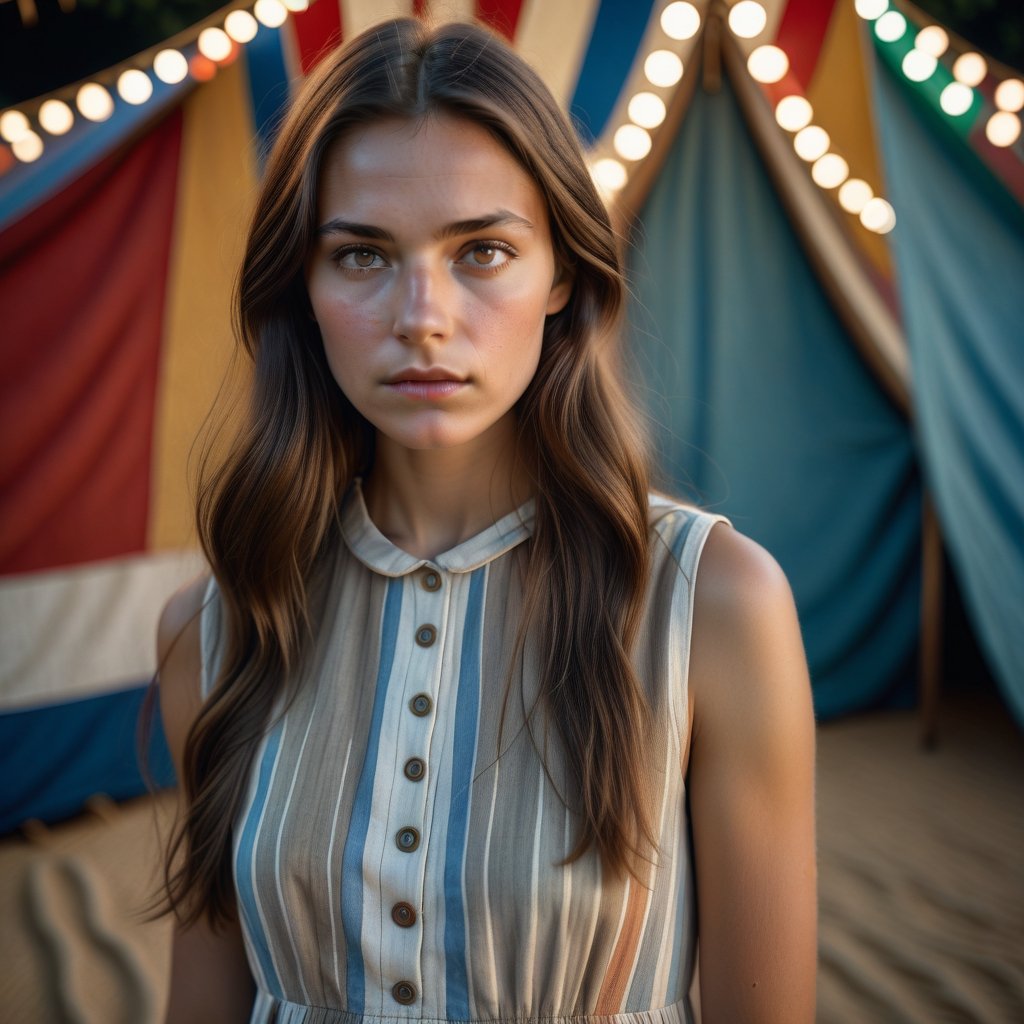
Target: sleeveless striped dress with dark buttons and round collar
396,859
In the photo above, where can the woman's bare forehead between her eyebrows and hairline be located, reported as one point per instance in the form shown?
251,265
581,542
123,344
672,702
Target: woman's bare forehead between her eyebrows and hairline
442,161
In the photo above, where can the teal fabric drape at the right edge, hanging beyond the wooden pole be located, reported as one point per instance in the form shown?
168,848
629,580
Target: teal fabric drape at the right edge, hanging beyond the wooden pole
960,251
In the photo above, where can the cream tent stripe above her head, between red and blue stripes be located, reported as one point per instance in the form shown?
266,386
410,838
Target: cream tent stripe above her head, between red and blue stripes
554,39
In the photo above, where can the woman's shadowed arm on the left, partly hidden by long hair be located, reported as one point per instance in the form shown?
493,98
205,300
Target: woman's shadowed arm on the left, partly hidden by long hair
210,978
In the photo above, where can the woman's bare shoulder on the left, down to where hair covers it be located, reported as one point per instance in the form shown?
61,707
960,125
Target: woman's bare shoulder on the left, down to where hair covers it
180,663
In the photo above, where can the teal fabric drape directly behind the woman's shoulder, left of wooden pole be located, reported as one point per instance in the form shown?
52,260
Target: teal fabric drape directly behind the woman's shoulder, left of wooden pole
762,409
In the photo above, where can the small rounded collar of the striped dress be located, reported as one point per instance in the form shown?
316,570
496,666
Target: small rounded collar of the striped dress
376,552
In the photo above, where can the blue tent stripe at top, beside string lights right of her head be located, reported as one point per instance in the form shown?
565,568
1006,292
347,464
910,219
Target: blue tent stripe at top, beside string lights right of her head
619,29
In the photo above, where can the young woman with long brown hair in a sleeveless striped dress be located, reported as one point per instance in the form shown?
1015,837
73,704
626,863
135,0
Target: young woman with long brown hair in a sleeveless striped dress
462,733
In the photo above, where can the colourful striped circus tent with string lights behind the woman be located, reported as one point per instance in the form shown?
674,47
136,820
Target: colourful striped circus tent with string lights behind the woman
824,205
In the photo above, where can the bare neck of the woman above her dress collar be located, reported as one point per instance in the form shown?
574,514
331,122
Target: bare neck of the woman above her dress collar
428,502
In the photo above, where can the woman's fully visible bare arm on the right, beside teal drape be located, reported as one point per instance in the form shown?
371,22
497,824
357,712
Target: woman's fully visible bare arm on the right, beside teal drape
752,791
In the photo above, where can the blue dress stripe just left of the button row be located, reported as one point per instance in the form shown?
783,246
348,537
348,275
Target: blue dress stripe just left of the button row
352,864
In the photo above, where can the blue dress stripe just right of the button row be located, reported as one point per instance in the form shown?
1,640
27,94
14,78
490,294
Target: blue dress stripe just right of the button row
467,711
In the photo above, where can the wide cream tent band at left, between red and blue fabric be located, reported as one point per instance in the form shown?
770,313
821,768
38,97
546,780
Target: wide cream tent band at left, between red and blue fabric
73,633
